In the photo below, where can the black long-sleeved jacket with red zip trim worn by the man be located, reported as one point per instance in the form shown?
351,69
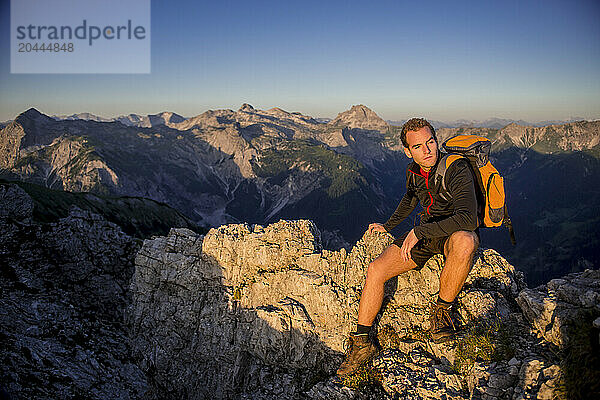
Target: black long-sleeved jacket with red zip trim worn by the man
439,217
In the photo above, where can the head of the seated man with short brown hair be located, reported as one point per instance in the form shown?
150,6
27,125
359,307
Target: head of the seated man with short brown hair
420,143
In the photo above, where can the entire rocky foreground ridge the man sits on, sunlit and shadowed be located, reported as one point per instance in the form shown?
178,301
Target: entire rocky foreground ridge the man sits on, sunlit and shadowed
261,312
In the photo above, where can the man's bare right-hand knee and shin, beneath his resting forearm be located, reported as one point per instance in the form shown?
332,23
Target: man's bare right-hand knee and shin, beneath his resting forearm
459,250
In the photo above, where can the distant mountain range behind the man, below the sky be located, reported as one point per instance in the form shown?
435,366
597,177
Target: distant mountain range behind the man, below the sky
259,166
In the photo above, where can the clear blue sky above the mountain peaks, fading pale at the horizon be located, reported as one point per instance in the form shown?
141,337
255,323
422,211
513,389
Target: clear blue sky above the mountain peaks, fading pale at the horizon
443,60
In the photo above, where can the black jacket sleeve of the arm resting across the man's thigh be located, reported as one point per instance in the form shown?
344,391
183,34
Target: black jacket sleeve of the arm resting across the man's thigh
461,187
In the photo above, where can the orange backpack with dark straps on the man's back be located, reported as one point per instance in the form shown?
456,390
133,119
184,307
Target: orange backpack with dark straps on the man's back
489,183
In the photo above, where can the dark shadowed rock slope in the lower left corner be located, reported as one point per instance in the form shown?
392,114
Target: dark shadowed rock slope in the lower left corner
64,288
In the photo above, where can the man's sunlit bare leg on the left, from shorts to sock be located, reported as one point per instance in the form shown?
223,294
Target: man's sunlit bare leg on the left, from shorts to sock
386,266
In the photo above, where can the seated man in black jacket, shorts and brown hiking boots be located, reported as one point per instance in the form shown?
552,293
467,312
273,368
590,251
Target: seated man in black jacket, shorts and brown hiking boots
447,227
